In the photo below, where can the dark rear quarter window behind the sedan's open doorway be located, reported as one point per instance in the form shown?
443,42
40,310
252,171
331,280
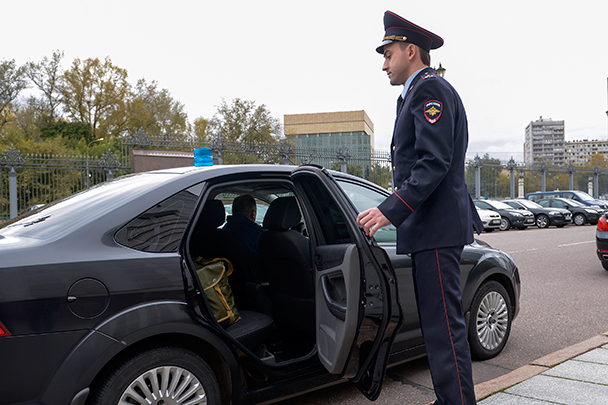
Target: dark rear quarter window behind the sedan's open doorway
161,228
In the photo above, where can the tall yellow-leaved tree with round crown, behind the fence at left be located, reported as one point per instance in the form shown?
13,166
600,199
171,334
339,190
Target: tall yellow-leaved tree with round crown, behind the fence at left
95,92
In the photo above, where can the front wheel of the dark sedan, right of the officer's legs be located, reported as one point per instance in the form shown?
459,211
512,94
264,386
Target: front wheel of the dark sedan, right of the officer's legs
490,322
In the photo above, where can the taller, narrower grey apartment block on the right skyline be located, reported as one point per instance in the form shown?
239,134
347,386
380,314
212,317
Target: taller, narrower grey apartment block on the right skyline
545,140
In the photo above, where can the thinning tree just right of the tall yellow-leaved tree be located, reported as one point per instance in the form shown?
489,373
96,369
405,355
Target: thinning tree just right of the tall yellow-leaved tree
156,112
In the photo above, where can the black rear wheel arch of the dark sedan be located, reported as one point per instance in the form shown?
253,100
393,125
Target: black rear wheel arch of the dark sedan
141,328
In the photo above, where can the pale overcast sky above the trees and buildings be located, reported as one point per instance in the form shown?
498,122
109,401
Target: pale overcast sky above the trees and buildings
512,62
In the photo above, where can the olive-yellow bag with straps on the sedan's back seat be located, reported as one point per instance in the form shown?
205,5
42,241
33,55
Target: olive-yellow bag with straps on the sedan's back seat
213,275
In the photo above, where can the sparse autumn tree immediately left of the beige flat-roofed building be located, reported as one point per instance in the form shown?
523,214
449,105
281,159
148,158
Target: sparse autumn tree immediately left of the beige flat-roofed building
244,122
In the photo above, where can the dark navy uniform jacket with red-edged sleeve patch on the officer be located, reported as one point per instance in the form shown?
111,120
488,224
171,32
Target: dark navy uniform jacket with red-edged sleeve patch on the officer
431,206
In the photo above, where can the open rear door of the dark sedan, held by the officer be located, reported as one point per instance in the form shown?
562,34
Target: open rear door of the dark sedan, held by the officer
357,308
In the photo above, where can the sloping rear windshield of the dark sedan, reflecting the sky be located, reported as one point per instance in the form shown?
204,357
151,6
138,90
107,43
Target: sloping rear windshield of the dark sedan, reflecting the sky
64,215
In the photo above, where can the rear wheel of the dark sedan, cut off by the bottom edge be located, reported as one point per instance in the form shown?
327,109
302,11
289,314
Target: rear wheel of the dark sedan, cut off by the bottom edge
173,373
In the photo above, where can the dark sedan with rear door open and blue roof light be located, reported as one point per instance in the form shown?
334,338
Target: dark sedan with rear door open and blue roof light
101,300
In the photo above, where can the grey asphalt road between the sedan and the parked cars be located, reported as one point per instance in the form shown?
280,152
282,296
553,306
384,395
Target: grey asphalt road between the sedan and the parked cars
562,303
